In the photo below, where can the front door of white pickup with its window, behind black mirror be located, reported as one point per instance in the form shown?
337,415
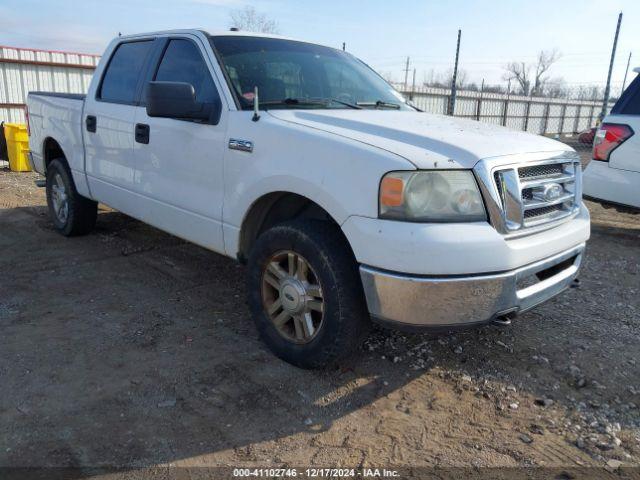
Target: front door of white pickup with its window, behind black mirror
179,162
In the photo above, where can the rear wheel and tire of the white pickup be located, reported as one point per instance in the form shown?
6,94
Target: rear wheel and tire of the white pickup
71,213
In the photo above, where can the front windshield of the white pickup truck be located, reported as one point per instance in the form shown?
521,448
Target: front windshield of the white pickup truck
292,74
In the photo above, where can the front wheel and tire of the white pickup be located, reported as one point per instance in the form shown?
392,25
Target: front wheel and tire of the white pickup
305,293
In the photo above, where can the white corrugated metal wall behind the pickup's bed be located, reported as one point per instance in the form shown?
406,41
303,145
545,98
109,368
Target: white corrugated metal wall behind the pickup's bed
23,70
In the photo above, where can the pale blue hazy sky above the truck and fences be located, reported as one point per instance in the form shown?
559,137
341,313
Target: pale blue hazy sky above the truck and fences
383,33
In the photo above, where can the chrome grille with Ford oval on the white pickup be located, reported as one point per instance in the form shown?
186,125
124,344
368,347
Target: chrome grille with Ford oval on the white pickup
533,194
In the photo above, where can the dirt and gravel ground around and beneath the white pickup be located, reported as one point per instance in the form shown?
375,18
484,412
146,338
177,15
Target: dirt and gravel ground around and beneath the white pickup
131,348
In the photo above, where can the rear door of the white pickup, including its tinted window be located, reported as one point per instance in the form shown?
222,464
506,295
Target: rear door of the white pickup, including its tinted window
108,124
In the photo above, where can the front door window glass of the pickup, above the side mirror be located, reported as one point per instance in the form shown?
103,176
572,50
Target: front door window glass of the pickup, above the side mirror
182,62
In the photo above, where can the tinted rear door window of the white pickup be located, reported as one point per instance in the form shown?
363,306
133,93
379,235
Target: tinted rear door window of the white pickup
121,77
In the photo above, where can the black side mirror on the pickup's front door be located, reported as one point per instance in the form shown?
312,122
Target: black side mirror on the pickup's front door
178,100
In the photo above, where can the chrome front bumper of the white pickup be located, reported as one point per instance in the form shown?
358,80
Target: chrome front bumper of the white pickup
451,301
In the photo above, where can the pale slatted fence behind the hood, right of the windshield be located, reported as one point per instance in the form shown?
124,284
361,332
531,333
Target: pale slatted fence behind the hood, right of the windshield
541,115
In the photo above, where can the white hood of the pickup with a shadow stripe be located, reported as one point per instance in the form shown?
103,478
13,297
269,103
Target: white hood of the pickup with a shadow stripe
426,140
